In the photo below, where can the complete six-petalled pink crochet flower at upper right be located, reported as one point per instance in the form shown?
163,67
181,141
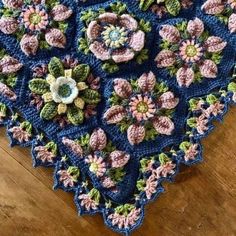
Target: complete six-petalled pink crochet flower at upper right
189,53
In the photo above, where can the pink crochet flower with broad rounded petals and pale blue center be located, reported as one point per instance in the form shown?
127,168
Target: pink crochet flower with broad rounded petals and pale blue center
114,37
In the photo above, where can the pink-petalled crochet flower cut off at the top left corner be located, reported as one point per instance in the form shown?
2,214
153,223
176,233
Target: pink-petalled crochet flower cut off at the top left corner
35,23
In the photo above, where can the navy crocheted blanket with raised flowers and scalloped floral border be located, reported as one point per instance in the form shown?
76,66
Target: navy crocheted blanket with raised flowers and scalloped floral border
115,95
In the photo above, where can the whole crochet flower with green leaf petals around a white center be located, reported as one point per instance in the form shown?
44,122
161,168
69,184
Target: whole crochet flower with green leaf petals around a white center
66,92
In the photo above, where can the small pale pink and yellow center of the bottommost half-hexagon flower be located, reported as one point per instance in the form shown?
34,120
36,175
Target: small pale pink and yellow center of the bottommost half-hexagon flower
97,165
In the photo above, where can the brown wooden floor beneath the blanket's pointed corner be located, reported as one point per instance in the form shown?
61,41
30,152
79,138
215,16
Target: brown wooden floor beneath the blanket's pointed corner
202,202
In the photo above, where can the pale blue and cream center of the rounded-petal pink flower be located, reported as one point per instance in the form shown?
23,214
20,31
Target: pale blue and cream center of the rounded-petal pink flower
114,36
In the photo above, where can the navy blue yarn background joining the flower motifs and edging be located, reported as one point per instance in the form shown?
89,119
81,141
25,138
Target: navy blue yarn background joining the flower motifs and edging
53,132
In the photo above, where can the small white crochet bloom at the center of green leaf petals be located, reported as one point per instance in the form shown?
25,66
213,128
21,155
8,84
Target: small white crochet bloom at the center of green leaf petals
64,90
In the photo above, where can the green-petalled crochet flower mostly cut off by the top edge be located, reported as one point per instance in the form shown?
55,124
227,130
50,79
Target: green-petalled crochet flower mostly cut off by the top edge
162,7
